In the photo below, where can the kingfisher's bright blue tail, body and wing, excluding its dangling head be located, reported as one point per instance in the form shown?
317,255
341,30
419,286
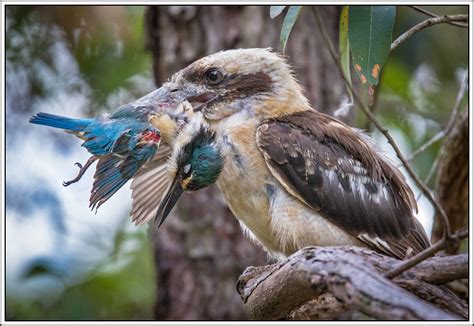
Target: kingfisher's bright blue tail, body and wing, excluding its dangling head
122,142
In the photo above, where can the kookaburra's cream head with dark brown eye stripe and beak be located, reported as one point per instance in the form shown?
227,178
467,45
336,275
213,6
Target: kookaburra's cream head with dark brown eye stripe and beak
227,82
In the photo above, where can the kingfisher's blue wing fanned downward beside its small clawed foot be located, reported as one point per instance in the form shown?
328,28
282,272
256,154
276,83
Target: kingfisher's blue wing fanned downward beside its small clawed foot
113,172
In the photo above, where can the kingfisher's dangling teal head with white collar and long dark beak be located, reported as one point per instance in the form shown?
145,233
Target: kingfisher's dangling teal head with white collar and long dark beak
195,163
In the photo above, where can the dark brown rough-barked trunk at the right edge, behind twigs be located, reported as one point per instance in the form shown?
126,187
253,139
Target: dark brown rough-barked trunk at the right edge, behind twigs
453,180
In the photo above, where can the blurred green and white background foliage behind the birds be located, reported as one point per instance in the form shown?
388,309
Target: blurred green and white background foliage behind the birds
83,60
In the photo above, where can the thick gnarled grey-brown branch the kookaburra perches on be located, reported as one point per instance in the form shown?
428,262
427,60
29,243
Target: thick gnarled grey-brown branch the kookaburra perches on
342,282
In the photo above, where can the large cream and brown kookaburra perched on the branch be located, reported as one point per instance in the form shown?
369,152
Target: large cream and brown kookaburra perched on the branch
291,175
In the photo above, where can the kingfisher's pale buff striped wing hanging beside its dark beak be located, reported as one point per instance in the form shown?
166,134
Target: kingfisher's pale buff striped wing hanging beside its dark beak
149,185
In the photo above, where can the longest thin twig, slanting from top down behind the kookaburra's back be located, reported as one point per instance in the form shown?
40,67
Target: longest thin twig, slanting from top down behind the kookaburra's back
388,136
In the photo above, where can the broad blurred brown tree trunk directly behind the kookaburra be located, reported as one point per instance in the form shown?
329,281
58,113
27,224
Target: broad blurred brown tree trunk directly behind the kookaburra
200,250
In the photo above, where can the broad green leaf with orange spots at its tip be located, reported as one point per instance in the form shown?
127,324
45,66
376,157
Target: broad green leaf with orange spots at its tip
370,36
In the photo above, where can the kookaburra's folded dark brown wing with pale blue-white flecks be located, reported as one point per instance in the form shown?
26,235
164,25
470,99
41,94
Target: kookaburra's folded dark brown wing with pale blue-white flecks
334,169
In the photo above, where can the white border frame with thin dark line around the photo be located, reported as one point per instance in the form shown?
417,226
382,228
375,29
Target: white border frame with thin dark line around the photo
209,2
